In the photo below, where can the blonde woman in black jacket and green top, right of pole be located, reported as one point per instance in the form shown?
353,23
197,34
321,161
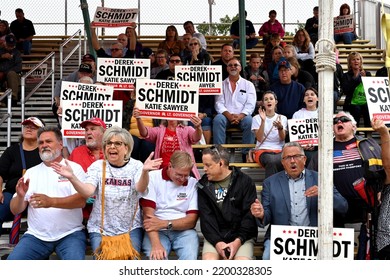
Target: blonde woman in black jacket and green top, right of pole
352,87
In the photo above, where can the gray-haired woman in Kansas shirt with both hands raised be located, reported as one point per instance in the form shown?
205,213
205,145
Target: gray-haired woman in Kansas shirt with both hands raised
125,180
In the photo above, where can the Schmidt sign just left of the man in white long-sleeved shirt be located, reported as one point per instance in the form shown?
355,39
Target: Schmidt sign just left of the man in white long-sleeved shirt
208,76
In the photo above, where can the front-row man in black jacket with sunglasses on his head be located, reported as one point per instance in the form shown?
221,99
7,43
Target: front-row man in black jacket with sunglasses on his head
224,199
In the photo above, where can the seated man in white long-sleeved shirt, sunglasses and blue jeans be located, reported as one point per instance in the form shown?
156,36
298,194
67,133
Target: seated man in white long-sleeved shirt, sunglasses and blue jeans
235,107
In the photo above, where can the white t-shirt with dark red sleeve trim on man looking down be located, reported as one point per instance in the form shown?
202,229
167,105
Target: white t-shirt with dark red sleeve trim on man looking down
172,201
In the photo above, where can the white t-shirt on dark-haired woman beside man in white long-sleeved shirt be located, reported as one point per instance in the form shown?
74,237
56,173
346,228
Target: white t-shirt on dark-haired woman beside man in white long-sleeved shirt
272,142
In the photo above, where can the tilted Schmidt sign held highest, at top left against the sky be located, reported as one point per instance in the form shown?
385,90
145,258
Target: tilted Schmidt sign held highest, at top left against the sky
111,17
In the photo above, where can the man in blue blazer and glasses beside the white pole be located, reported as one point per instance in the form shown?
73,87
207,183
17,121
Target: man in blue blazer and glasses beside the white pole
290,197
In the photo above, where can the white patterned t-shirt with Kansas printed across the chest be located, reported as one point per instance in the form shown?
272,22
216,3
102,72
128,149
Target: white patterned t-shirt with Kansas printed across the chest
120,197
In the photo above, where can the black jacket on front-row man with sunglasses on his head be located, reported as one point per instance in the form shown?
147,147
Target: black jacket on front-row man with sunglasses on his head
235,220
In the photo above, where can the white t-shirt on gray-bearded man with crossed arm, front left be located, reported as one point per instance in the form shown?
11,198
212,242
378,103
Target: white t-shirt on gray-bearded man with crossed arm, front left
52,224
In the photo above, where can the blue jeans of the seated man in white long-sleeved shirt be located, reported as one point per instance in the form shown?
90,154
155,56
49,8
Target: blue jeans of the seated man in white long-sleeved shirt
221,123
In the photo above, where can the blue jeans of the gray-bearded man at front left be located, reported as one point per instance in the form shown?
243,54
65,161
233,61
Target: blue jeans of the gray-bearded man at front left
70,247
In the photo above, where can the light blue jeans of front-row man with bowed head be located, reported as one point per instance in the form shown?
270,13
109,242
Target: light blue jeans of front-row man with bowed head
185,243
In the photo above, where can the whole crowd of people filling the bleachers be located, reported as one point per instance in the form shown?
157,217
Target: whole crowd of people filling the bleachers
141,179
